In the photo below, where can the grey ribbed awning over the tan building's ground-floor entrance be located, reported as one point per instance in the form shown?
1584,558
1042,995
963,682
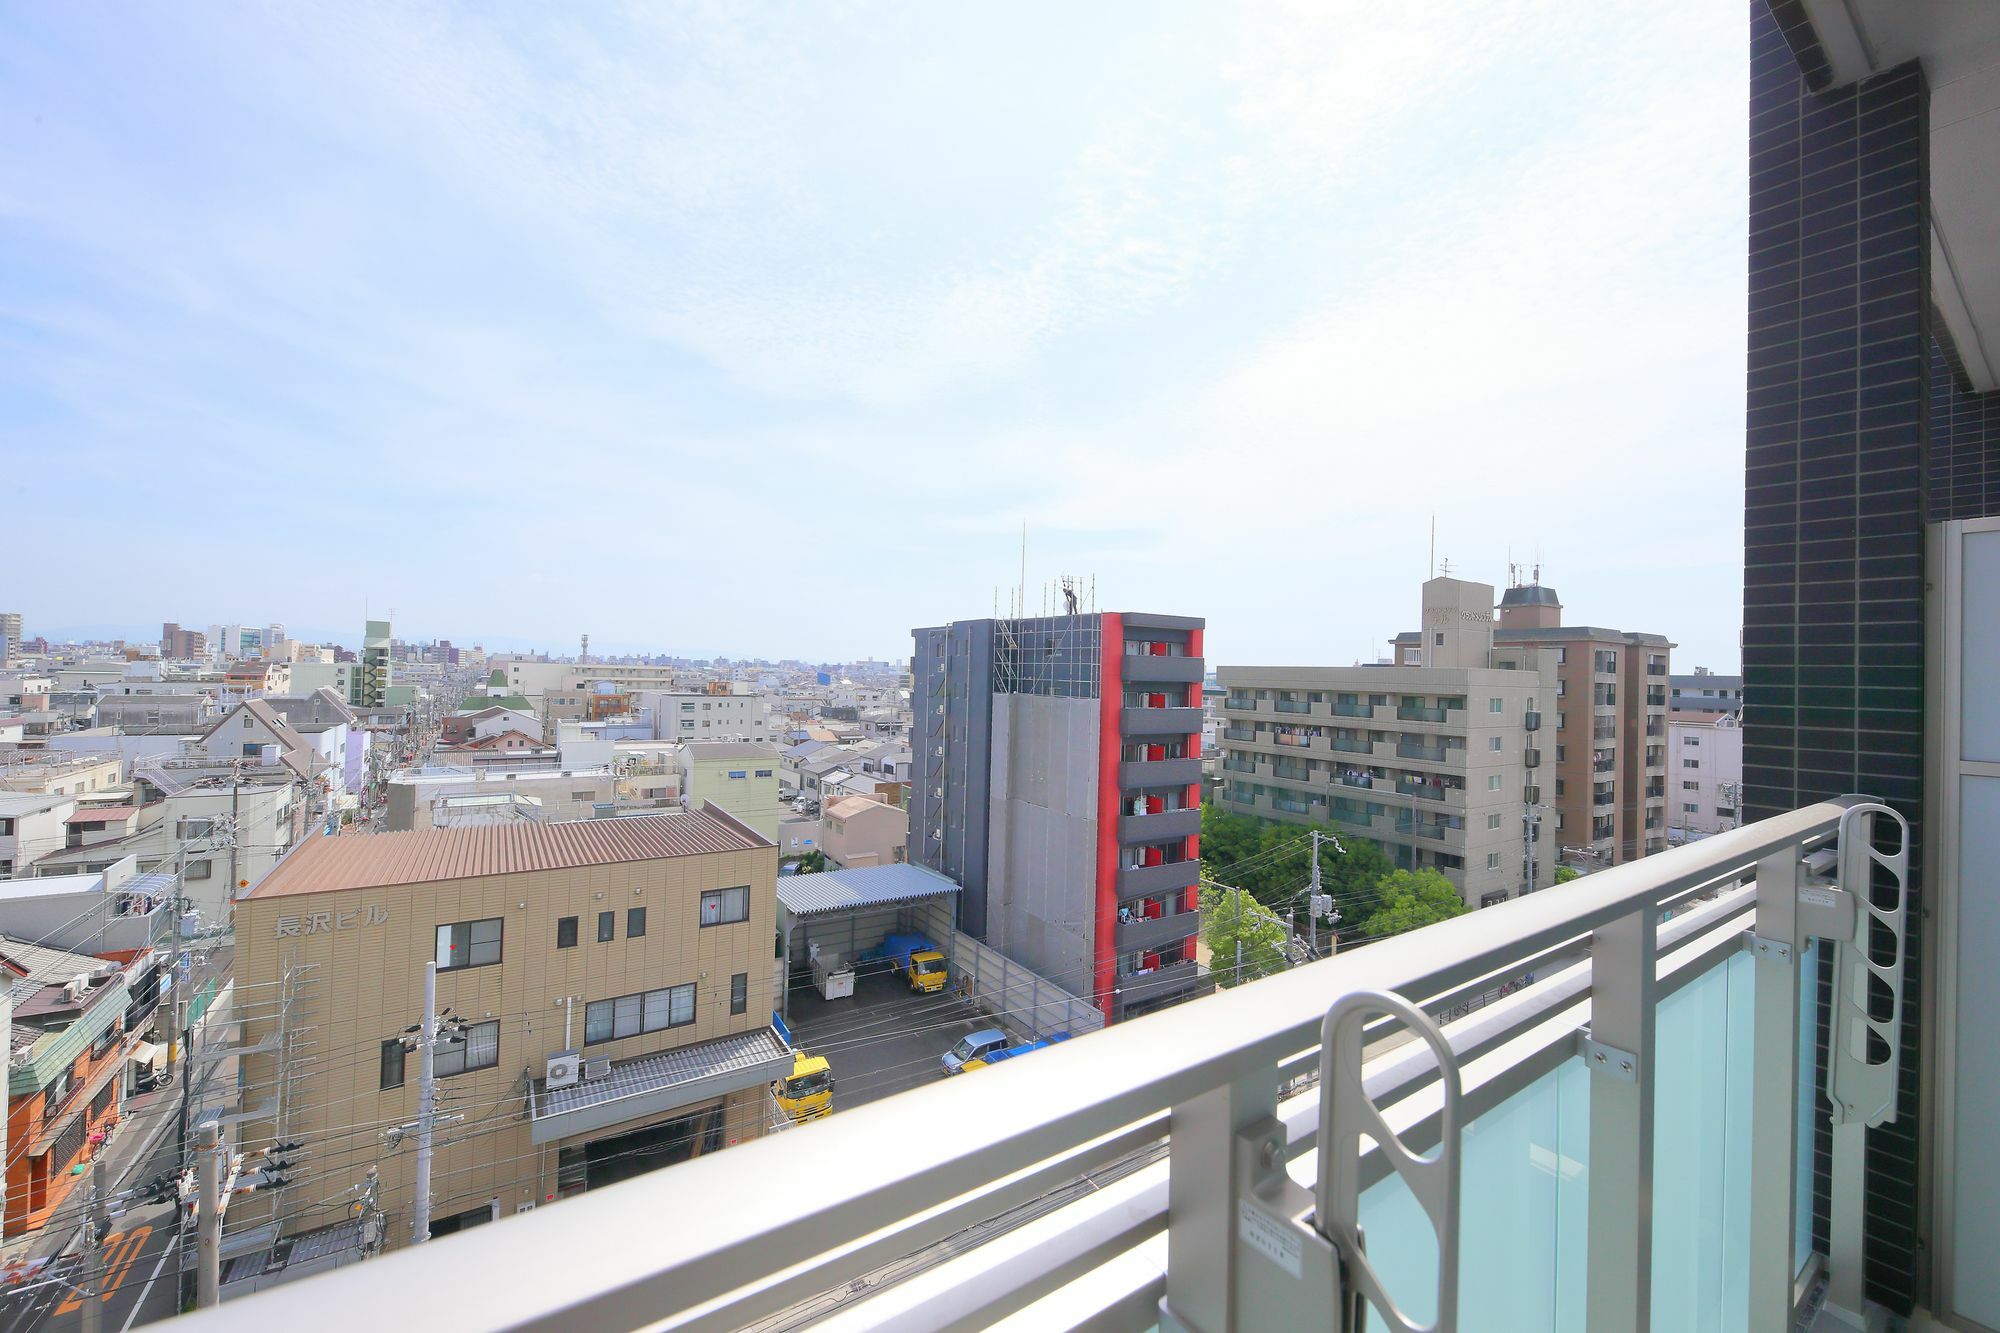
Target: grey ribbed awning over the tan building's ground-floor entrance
657,1084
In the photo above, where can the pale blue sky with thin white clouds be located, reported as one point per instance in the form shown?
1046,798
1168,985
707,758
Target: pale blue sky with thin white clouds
763,331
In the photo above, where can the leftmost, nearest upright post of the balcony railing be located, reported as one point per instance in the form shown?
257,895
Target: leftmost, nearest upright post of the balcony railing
1201,1200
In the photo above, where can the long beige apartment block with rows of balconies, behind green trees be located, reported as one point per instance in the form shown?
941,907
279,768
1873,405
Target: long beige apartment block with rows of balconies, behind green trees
1441,766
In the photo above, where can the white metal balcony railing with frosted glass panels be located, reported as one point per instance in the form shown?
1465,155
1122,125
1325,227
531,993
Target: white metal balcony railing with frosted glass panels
1181,1170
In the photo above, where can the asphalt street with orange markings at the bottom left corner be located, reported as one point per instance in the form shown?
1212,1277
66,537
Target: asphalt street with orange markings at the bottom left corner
135,1270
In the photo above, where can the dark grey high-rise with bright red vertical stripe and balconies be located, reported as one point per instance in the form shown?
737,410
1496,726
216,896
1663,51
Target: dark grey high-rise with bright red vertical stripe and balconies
1057,778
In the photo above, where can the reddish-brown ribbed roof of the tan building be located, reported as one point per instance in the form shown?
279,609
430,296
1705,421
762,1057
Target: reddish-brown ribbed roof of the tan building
381,860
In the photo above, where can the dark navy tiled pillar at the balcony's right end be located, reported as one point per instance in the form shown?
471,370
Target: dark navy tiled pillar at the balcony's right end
1835,483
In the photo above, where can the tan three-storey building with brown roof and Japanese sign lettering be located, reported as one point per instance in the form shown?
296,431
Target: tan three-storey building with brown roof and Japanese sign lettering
615,980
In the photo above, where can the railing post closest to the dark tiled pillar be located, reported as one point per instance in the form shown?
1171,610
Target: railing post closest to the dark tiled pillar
1775,1094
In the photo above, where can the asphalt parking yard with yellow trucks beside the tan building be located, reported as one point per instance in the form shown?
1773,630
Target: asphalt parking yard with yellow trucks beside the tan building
883,1040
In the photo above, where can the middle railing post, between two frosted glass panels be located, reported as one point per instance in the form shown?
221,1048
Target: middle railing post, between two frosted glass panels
1619,1054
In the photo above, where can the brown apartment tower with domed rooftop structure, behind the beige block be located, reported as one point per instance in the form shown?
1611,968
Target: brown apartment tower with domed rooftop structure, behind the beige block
1609,740
